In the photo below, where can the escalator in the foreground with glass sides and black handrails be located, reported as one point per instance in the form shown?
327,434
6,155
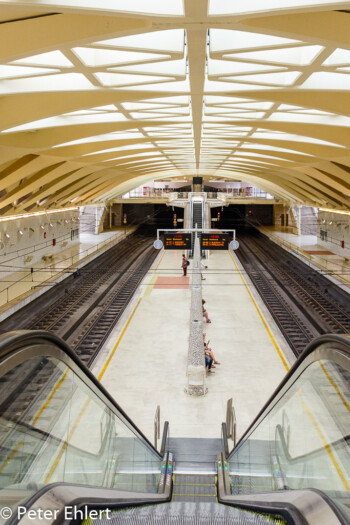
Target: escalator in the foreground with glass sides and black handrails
69,450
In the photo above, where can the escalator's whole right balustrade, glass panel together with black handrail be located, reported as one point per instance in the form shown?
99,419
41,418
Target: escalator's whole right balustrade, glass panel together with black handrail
300,438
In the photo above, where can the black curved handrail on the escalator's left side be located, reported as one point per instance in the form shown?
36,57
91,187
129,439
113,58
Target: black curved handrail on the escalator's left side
14,342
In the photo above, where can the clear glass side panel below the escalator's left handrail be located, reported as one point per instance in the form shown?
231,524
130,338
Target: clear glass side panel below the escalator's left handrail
57,426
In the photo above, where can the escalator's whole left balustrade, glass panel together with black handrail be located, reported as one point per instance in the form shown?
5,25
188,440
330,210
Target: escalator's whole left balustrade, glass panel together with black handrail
70,441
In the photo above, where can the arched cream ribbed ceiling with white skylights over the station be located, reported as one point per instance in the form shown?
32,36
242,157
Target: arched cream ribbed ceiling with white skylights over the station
97,100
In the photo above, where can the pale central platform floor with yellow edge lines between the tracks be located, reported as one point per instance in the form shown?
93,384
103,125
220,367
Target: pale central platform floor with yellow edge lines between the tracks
143,363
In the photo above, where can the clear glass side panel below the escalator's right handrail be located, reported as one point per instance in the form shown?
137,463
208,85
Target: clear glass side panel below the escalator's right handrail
302,439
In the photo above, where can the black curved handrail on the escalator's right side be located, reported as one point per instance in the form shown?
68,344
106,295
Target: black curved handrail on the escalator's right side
296,370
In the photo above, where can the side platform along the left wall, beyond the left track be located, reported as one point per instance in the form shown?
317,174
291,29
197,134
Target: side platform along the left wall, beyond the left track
21,286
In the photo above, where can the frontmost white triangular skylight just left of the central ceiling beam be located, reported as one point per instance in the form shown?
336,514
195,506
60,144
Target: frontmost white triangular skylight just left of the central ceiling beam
171,40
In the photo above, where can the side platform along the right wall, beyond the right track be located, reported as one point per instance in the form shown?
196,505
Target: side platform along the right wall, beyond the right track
306,247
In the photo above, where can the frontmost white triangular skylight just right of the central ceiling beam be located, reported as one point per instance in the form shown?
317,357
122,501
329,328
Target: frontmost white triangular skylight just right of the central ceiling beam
227,40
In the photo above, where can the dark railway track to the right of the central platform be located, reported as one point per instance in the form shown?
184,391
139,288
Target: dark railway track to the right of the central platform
303,302
